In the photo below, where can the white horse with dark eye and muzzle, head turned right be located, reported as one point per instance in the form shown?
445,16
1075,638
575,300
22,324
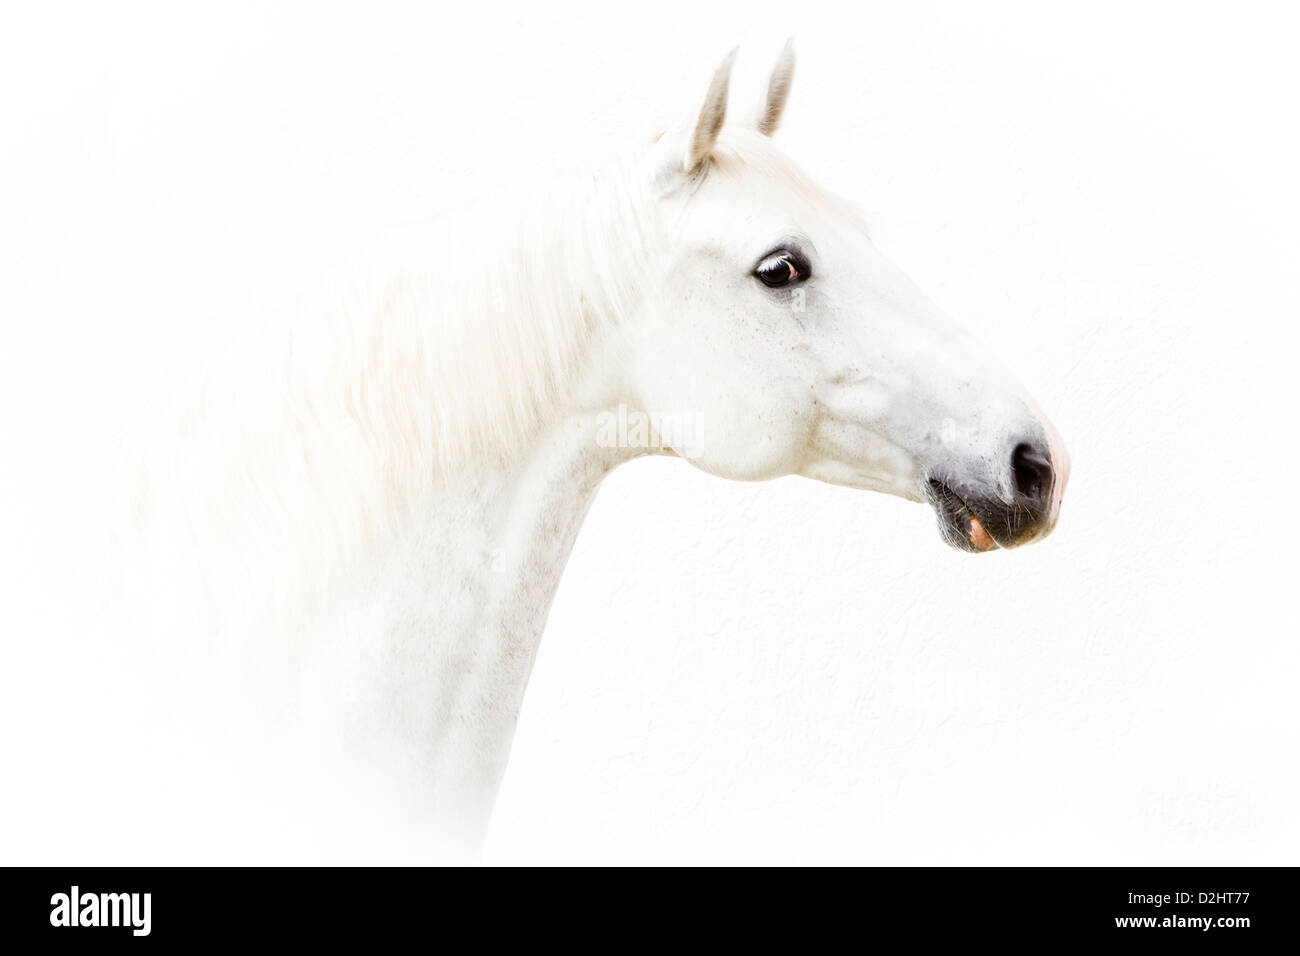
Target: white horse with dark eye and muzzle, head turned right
384,499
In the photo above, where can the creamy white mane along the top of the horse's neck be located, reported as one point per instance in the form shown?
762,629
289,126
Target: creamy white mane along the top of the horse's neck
440,352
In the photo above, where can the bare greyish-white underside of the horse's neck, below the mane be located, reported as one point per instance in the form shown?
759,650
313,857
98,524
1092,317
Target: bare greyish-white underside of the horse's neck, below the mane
463,599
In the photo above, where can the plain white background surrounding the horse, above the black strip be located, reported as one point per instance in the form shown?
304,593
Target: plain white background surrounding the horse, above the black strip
790,671
